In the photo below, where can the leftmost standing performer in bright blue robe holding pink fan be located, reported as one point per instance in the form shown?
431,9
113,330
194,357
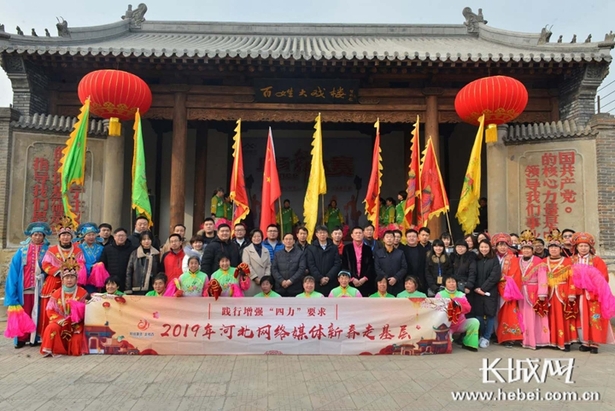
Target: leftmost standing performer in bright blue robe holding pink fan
23,285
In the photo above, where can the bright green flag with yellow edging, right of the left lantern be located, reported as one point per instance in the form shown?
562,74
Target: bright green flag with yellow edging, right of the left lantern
140,197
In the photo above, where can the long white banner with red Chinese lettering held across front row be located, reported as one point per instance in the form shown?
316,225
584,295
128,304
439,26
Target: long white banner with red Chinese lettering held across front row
196,326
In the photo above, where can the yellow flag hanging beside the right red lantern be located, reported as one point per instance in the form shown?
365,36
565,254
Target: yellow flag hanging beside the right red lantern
467,212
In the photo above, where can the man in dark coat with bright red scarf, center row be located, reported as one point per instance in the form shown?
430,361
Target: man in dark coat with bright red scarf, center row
363,276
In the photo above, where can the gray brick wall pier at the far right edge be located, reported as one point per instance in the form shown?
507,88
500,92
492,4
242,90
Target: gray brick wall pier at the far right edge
605,147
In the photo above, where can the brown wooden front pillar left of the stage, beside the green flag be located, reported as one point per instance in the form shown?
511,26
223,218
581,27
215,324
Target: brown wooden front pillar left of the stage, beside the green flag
178,161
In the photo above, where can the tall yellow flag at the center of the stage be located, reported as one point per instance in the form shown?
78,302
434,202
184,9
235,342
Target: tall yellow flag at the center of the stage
317,184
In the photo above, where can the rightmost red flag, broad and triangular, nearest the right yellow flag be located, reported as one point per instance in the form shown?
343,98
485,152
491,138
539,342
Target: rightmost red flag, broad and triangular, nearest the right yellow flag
434,200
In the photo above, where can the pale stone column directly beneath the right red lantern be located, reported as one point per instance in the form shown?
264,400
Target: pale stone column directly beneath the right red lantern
497,184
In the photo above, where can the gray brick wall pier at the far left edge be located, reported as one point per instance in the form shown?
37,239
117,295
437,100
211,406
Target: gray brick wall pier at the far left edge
6,147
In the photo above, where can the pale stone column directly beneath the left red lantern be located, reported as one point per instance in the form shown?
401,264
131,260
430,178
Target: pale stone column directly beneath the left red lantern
113,178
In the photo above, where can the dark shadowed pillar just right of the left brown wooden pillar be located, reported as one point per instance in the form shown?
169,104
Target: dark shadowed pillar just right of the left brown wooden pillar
200,175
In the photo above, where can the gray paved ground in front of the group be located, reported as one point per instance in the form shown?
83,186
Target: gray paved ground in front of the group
30,382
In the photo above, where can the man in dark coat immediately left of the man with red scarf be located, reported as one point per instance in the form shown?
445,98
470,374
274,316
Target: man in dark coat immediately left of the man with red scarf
323,261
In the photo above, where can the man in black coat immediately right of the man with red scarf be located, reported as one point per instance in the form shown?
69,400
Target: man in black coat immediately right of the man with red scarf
390,263
